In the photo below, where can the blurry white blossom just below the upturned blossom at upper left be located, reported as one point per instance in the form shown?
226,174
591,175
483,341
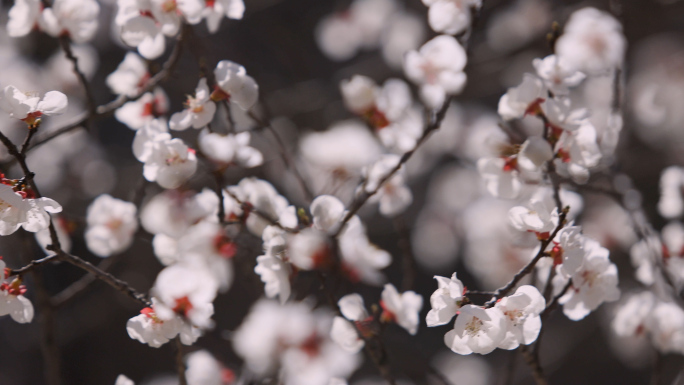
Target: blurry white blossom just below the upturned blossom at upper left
225,150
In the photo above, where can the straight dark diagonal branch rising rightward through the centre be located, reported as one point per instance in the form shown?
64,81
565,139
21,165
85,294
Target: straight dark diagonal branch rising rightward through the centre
432,124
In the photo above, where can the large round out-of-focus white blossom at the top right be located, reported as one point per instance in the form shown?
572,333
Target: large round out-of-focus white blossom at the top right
592,42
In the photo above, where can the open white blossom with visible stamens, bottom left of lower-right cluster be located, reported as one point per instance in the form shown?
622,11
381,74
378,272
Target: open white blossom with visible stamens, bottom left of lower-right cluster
476,330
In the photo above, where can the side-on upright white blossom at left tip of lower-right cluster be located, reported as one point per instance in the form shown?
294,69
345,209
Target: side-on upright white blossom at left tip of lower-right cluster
445,301
